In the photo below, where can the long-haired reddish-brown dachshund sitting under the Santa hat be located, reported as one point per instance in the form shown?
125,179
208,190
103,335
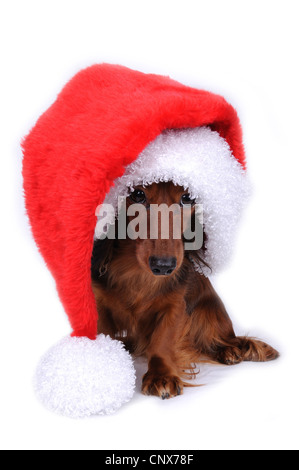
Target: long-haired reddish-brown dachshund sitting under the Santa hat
150,296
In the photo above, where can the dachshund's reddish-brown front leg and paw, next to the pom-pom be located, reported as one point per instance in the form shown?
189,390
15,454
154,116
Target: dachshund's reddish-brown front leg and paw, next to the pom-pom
163,376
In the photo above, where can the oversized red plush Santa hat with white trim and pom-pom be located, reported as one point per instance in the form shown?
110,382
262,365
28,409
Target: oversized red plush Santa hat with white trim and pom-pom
111,128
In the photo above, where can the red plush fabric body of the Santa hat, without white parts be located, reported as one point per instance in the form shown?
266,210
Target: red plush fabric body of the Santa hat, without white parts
99,124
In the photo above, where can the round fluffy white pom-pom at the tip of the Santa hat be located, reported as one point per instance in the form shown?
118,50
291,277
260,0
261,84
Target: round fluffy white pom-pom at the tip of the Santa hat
80,377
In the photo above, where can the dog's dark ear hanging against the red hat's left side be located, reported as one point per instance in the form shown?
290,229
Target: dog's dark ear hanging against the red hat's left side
101,256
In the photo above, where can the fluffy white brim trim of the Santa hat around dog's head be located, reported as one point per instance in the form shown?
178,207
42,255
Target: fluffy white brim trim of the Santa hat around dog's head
201,161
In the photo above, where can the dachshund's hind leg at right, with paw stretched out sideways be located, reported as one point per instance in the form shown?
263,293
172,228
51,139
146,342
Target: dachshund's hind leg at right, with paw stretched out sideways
213,334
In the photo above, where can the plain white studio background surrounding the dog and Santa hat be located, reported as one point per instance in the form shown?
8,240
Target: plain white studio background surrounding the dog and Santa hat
245,50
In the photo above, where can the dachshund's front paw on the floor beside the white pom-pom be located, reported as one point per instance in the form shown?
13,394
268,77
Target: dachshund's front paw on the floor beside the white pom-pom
162,386
